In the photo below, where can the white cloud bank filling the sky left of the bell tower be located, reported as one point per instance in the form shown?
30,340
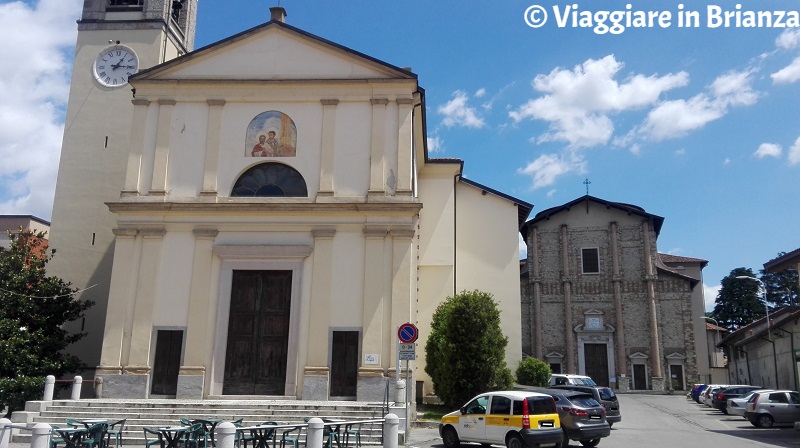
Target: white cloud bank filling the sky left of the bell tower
35,47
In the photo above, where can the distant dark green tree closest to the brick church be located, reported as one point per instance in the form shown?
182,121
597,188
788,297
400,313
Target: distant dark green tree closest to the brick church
739,302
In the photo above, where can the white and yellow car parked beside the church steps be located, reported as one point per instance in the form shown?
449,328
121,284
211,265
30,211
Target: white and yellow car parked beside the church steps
516,419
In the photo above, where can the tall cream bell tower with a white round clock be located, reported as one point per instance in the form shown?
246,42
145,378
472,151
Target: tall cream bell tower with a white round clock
116,38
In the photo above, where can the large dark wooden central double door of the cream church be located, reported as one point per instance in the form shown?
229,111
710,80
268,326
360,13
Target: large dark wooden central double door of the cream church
258,333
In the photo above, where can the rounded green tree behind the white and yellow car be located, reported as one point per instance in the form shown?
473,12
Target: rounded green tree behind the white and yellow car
465,352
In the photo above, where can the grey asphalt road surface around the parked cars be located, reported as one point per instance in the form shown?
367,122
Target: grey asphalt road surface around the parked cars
667,421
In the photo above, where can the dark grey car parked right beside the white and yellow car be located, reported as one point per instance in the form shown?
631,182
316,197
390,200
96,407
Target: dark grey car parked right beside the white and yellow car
583,418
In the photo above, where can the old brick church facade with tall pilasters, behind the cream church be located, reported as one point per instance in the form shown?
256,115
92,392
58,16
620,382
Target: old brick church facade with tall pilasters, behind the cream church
598,299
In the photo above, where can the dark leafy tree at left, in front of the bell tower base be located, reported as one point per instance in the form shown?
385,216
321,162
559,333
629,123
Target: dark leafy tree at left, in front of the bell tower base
33,310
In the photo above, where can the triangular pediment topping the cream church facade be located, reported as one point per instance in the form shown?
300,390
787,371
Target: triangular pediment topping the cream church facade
274,51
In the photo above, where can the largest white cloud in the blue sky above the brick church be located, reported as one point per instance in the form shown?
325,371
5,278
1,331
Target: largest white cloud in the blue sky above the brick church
577,102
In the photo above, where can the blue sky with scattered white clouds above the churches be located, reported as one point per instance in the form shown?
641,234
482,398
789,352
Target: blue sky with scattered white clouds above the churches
688,118
